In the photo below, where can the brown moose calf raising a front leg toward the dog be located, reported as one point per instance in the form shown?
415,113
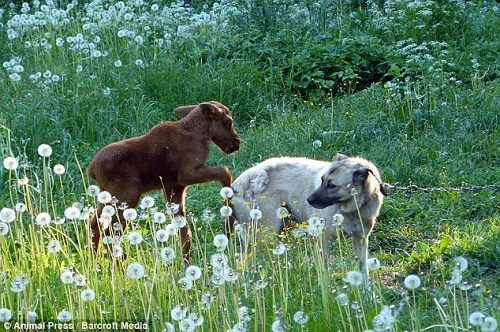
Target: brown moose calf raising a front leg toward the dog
171,156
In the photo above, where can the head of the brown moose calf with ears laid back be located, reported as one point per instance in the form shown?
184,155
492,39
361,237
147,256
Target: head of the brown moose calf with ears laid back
221,127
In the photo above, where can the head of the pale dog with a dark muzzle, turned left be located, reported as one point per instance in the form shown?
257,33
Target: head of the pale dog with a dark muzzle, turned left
347,181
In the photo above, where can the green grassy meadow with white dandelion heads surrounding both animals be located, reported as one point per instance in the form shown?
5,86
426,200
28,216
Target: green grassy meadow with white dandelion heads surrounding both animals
412,86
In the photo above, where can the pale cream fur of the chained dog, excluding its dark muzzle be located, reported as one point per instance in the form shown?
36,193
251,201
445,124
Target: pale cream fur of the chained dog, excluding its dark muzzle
291,181
